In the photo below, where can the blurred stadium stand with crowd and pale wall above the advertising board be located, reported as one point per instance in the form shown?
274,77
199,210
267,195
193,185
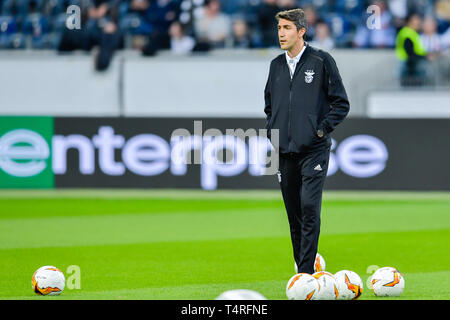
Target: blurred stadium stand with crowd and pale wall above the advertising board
120,35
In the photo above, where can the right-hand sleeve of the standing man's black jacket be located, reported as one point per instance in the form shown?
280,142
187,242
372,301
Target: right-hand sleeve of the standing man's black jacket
336,96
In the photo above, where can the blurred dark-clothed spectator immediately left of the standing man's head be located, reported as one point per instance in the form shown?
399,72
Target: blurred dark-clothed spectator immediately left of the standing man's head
267,22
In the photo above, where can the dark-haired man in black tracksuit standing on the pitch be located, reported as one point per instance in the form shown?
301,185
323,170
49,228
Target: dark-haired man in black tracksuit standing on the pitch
305,100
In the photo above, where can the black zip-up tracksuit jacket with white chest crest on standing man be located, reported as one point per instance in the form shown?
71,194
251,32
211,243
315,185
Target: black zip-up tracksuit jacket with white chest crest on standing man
314,99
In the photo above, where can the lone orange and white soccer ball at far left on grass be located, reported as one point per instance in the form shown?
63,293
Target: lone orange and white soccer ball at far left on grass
48,280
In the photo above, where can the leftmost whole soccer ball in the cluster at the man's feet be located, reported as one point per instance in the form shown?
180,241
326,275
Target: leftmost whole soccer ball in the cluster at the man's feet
302,286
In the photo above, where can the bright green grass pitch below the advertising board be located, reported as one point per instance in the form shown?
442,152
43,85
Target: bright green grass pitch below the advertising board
168,244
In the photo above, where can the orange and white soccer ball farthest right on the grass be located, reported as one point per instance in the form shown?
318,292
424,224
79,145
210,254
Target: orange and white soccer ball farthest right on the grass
387,282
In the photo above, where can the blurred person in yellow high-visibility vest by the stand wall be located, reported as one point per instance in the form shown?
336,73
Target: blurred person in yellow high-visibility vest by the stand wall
412,54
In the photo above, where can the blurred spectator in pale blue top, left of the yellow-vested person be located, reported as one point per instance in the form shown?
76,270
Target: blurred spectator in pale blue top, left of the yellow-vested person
383,37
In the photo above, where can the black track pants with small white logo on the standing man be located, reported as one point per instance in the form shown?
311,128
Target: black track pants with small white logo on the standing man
301,178
